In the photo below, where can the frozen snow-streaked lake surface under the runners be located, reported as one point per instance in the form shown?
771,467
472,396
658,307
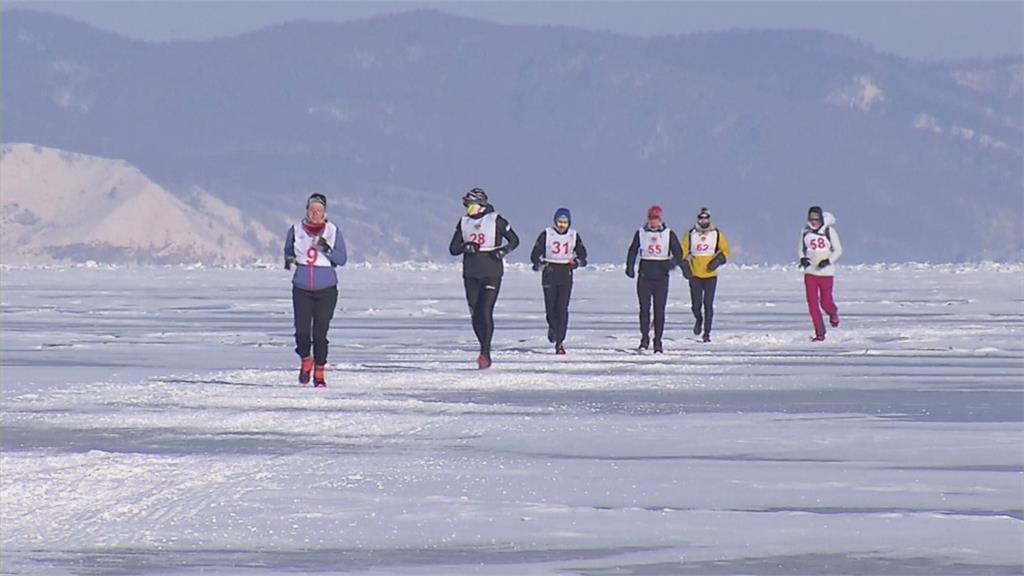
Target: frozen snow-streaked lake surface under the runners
152,425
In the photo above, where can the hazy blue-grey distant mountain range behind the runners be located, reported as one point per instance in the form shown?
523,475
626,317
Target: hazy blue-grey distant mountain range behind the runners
395,118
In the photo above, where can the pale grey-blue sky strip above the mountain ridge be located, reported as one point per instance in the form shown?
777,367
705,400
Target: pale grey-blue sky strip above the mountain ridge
919,30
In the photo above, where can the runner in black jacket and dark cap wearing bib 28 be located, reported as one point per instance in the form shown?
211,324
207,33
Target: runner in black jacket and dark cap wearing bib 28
484,238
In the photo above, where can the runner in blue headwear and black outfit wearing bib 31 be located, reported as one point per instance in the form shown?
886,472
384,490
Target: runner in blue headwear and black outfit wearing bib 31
559,252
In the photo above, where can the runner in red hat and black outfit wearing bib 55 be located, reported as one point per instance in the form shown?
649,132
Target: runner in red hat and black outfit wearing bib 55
658,249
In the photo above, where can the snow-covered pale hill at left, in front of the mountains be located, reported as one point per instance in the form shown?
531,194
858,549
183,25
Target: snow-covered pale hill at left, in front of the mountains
61,207
